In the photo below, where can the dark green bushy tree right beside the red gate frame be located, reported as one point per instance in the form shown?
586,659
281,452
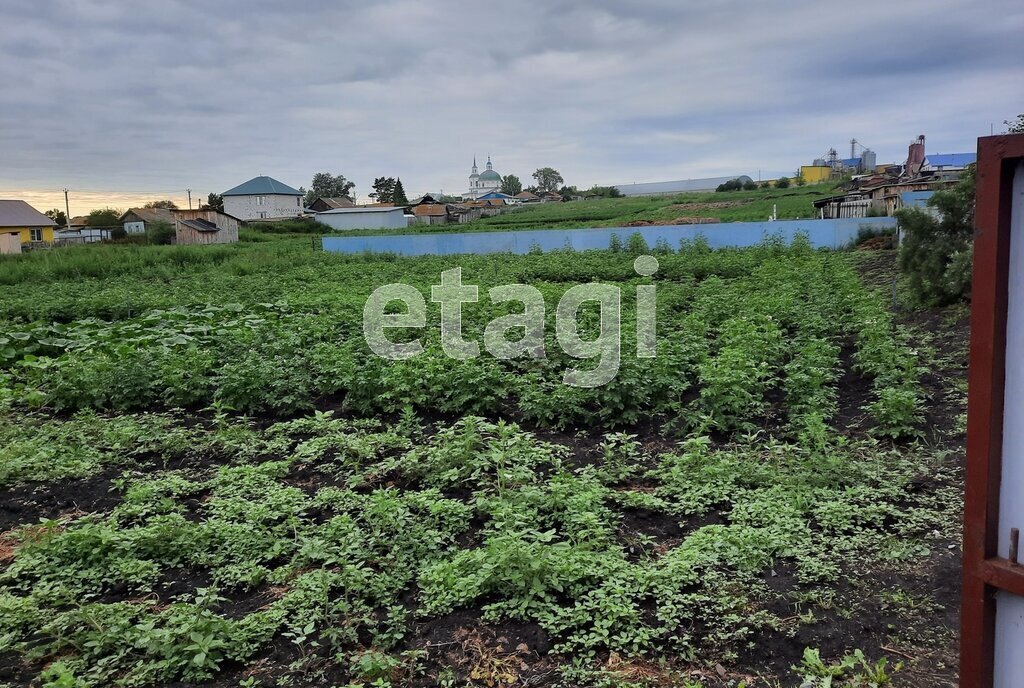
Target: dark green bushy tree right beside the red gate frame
937,251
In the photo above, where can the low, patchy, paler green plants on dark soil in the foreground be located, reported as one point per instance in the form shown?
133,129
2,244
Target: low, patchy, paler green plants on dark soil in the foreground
406,524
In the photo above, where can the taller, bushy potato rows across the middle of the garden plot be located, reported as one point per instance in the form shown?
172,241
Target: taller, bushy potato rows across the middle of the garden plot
729,348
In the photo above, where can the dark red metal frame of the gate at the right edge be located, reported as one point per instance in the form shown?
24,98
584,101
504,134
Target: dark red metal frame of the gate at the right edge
985,572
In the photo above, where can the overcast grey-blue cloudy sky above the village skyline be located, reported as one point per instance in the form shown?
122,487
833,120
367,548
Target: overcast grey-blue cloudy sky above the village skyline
129,102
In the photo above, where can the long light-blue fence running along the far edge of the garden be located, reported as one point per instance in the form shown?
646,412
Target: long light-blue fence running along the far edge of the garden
822,234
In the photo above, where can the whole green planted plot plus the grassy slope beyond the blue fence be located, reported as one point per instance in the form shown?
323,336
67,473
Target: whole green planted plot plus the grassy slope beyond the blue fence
207,479
